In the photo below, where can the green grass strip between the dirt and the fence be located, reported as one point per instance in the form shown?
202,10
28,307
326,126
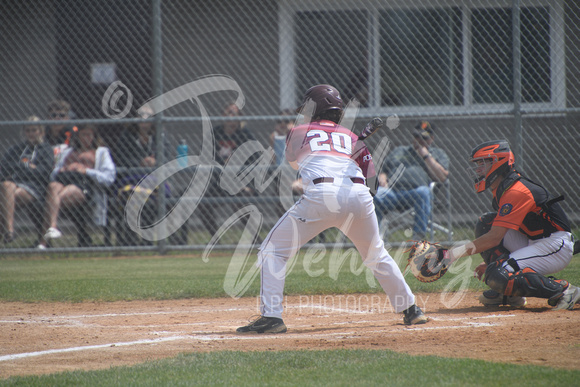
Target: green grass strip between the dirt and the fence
174,277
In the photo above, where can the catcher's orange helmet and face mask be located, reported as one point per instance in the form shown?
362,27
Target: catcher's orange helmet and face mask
494,159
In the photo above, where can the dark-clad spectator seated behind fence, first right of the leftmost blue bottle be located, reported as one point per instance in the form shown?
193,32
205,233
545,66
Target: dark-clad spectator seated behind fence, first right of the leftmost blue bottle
228,137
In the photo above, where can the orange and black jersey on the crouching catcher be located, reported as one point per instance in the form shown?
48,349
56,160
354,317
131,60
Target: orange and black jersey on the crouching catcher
527,207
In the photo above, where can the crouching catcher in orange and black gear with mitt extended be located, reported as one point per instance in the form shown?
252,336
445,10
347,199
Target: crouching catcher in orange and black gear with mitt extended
527,238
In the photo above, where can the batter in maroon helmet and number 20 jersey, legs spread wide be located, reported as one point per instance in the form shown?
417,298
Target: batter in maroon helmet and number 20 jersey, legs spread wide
334,166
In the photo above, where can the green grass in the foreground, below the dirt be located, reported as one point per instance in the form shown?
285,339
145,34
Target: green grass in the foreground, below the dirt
309,368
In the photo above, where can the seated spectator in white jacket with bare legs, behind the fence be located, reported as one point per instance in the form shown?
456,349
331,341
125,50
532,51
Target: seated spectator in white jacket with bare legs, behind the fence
80,178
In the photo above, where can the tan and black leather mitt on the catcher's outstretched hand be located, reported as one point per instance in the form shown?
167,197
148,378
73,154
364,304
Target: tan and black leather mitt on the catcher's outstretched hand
428,261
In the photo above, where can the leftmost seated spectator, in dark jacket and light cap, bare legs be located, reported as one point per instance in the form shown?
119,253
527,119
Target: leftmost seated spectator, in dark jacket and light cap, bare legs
24,173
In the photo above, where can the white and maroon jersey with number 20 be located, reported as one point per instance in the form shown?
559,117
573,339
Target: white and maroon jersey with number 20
326,149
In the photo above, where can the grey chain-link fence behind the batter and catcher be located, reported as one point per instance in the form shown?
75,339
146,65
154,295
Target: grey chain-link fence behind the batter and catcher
201,164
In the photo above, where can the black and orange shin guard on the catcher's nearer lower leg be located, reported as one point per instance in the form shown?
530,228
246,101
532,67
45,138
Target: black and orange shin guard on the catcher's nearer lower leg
522,283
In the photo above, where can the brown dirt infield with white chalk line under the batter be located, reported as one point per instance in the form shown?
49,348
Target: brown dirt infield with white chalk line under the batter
45,338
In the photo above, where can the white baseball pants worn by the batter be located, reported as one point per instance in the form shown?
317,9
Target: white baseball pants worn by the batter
342,204
